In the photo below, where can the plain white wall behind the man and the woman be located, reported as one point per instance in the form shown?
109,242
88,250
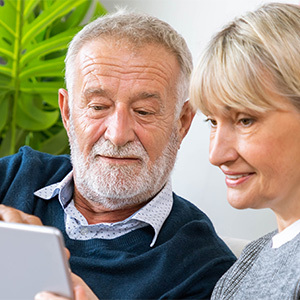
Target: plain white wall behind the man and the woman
194,178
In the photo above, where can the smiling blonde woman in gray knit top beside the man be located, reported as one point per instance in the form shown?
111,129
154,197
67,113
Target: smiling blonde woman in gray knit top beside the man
248,86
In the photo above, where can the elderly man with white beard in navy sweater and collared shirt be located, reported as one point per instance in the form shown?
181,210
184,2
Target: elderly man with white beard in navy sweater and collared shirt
129,236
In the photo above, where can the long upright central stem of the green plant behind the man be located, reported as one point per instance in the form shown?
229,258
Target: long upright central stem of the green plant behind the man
16,71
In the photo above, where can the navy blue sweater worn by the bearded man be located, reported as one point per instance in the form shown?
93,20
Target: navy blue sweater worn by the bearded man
187,260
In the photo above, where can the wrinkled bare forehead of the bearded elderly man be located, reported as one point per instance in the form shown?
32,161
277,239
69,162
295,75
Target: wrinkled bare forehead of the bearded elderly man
150,63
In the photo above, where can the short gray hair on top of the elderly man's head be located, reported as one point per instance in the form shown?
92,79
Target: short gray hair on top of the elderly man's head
139,29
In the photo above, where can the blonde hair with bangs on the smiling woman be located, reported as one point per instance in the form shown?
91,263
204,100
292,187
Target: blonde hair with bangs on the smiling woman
252,56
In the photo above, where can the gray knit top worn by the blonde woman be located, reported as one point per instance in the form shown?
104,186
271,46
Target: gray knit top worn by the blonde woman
263,272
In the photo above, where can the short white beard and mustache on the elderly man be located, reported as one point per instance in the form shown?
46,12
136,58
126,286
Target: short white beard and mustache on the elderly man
115,186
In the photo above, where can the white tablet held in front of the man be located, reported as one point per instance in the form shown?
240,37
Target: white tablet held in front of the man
32,259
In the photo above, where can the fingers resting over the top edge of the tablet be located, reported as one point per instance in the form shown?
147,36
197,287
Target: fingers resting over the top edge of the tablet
12,215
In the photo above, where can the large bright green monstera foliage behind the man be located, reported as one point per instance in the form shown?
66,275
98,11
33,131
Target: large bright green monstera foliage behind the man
34,35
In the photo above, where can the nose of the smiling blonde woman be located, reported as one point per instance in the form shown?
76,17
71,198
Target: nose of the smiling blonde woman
222,148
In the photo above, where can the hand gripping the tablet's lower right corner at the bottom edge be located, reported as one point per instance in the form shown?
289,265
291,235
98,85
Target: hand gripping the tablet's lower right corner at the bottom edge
81,292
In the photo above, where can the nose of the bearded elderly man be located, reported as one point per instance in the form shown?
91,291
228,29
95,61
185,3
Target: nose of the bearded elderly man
119,127
